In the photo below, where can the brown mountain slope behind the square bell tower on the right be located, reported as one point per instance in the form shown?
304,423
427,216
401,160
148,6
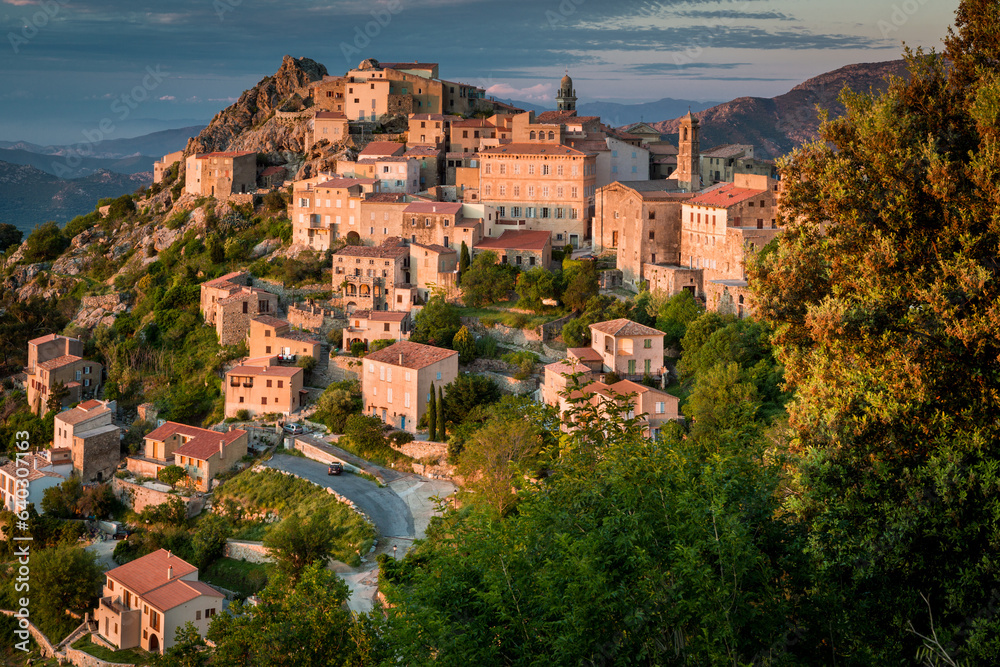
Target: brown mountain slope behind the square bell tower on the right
775,126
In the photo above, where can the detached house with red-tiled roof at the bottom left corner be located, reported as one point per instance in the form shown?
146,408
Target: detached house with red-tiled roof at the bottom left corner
146,600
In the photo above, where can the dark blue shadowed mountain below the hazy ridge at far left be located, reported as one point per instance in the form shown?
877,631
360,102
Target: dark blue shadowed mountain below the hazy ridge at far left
29,196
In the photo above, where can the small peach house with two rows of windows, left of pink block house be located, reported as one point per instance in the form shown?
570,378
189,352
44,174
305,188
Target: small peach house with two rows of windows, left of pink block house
260,387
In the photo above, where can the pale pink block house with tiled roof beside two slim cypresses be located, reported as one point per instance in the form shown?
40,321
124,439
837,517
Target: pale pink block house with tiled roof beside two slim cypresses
396,381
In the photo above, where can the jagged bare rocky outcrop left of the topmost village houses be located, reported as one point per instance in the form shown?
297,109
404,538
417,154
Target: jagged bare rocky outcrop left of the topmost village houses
233,127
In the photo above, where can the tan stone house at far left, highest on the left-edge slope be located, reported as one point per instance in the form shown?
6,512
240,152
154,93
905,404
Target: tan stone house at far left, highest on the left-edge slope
55,360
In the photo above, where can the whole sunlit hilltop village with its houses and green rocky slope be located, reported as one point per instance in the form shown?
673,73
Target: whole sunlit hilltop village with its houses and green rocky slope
353,300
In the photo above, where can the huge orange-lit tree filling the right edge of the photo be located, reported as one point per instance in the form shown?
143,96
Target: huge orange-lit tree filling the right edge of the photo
883,296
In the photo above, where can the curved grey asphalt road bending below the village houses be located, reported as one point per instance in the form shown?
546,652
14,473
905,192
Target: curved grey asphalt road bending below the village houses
391,515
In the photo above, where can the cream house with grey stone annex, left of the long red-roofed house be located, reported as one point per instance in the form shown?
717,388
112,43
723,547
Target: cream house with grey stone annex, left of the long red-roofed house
93,440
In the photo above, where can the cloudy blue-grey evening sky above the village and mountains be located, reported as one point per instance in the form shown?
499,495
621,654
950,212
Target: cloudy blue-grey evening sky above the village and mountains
80,70
